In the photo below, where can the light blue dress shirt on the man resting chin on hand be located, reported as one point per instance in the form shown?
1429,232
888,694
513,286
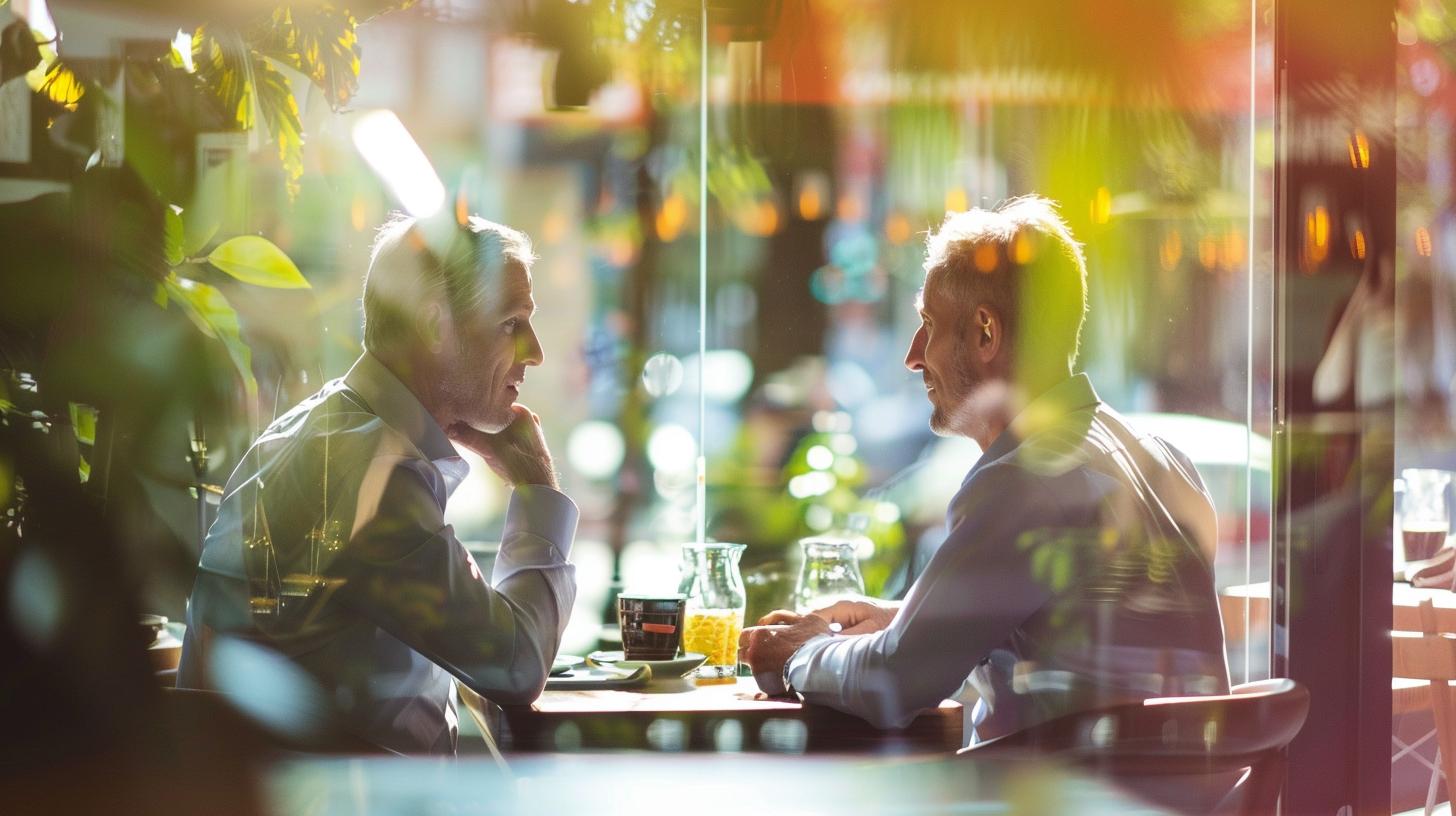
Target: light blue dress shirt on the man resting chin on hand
331,549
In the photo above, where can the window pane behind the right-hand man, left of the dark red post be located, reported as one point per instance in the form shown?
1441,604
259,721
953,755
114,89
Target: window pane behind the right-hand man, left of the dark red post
852,130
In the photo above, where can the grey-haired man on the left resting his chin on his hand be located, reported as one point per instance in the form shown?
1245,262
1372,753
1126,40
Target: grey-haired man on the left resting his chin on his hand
331,546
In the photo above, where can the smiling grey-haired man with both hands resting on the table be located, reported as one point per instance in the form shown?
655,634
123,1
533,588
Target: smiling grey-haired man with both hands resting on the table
1078,566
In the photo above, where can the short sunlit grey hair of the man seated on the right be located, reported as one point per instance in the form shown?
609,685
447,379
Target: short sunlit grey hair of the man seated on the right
1021,260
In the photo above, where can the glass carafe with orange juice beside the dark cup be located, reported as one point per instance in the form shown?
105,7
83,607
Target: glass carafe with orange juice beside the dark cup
716,608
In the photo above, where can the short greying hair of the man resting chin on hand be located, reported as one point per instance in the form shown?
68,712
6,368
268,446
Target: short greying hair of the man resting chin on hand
405,272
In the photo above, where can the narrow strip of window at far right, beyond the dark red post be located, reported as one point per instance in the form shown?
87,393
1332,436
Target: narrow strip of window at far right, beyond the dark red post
1423,343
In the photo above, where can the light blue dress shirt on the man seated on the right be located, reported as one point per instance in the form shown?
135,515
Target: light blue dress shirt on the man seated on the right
1077,575
